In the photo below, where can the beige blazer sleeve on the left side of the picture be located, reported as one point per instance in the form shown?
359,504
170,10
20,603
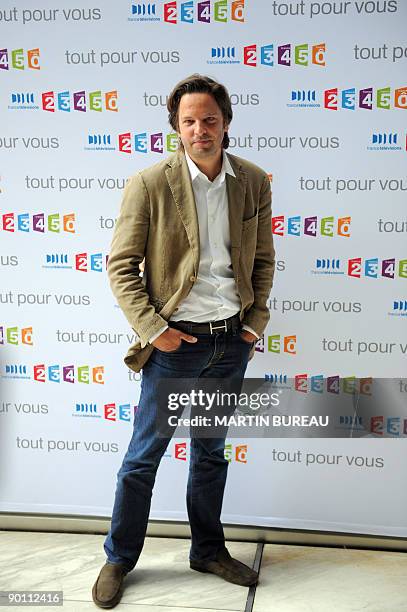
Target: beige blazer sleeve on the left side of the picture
126,253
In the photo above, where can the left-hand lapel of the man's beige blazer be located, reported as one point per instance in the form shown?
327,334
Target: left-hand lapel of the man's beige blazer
179,180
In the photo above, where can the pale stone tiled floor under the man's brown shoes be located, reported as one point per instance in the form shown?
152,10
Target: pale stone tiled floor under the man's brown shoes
292,578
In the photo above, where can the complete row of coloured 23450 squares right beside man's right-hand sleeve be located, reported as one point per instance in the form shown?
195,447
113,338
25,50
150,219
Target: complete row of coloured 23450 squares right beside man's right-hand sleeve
310,226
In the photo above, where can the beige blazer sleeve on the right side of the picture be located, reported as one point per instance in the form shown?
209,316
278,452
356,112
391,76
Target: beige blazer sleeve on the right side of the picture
258,314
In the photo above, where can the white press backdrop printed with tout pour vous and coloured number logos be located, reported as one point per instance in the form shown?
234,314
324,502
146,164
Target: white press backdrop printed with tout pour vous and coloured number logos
319,96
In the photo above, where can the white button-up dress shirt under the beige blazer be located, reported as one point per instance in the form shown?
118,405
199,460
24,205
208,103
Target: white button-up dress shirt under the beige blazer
214,295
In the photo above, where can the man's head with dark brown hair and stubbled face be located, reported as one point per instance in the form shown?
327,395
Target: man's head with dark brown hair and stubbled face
200,112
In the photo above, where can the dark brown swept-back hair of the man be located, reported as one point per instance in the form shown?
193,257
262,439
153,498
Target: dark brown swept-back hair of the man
197,83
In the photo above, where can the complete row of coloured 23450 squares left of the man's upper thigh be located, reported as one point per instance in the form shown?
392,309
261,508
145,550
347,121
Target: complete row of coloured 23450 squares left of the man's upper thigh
70,374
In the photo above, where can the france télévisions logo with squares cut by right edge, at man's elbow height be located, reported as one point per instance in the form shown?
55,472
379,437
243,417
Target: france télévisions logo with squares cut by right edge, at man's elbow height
358,267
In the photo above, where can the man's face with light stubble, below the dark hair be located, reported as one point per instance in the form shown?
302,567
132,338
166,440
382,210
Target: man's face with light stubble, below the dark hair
201,126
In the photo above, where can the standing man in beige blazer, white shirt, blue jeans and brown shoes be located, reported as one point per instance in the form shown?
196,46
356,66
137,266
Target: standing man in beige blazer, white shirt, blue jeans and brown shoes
202,221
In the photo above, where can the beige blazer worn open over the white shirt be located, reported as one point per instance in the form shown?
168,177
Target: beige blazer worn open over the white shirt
158,221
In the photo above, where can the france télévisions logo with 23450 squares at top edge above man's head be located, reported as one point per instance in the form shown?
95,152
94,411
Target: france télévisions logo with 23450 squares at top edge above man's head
189,12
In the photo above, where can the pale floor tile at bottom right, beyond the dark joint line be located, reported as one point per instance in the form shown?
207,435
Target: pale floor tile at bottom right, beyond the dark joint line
317,579
